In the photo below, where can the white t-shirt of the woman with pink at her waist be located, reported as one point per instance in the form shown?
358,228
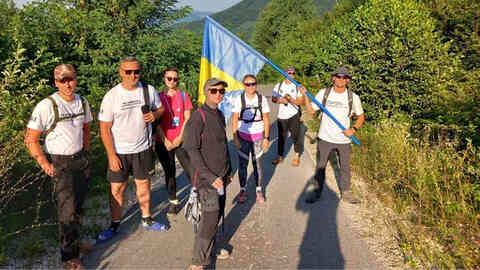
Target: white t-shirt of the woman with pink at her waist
255,127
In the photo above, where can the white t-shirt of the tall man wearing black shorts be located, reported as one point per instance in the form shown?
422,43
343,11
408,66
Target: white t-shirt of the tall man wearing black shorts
122,107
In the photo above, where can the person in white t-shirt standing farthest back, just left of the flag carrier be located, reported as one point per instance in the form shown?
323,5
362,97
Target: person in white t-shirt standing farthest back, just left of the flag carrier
289,99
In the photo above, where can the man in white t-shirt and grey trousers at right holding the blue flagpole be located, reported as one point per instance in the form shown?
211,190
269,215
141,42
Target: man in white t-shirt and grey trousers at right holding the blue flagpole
343,104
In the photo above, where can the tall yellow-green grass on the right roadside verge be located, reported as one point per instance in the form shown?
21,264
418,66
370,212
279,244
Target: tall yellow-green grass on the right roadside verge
433,188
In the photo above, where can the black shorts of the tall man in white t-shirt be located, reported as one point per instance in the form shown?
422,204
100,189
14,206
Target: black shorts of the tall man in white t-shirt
138,164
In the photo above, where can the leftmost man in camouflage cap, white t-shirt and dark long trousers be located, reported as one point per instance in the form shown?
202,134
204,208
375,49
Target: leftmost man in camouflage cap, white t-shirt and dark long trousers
64,119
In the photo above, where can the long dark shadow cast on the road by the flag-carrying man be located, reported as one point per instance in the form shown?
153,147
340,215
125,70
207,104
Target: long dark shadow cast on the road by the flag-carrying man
320,247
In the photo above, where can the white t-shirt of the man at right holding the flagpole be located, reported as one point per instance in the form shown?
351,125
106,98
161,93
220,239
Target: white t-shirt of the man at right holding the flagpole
337,104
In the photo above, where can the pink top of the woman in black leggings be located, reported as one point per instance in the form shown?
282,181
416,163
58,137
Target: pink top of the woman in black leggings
173,117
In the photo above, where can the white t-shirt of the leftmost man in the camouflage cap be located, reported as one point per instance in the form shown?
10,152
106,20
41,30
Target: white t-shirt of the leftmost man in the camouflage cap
67,137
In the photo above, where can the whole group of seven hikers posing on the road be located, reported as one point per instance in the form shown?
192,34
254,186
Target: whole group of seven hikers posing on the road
137,122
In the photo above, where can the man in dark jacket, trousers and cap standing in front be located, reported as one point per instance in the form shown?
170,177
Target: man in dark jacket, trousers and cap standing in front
206,144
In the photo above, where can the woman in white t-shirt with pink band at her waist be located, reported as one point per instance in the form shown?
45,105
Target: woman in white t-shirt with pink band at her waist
251,129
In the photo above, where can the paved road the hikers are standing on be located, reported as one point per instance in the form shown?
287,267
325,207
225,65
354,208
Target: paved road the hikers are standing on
283,233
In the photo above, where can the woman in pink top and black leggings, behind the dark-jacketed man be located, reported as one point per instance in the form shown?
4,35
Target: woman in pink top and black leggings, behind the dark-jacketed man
178,108
